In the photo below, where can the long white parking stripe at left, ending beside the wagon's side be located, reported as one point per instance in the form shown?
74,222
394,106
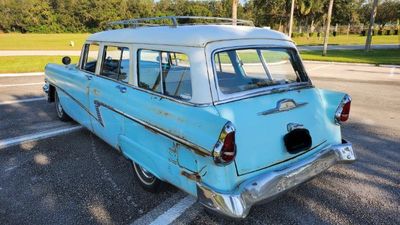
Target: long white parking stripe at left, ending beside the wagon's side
5,143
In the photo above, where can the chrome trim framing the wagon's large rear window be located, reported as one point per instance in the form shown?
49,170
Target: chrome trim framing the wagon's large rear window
224,98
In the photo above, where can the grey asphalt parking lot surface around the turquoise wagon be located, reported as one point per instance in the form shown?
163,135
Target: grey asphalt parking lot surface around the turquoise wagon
76,178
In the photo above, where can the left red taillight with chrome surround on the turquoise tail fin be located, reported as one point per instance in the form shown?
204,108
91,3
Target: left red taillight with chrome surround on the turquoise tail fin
225,148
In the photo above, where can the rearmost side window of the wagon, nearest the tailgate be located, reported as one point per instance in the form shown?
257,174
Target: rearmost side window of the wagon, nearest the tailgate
167,73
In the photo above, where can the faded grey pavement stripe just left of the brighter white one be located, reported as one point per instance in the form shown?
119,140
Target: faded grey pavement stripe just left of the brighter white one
160,209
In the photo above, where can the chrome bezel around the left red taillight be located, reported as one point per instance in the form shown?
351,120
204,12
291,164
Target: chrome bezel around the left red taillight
217,152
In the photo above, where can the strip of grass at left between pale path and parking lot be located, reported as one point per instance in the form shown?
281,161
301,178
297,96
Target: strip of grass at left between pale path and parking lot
20,64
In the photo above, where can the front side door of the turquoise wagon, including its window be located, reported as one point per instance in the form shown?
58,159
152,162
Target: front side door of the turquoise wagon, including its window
75,86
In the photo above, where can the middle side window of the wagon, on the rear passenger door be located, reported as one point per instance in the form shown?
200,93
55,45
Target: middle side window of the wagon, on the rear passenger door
115,63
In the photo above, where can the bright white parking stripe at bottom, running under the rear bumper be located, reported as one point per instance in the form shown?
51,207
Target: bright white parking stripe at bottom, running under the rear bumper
177,210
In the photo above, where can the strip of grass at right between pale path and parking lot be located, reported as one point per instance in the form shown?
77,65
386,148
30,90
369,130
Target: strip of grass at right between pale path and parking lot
377,57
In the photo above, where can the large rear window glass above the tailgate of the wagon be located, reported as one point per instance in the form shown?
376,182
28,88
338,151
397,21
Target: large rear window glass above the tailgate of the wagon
246,69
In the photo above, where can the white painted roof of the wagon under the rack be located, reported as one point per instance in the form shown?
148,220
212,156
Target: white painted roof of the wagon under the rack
186,35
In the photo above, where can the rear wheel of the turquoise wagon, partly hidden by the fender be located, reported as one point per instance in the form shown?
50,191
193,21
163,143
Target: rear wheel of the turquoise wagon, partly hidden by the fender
147,180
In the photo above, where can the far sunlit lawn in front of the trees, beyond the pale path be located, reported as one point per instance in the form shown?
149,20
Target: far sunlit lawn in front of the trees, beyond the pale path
16,41
